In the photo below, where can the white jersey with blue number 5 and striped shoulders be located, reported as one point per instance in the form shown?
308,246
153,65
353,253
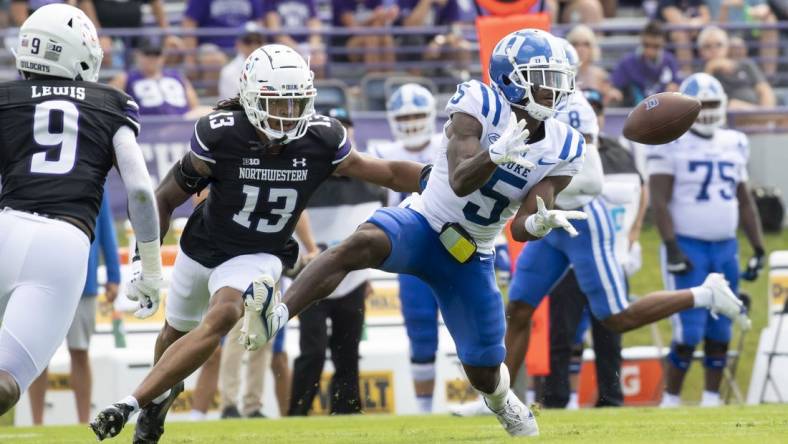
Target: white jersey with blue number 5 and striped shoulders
484,212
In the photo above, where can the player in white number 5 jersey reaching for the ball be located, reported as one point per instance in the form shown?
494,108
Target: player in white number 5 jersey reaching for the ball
484,175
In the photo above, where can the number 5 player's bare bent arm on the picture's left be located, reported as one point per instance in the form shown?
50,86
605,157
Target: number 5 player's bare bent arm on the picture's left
470,166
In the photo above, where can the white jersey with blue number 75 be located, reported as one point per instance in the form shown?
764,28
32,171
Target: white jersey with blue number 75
706,174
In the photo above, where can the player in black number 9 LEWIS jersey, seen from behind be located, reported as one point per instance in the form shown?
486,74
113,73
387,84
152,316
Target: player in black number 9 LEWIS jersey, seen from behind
60,133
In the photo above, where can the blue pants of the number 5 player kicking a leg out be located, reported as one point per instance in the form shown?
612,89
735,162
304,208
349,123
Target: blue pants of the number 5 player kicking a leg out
467,294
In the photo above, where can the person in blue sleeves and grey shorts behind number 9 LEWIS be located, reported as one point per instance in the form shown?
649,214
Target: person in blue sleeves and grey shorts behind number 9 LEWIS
84,323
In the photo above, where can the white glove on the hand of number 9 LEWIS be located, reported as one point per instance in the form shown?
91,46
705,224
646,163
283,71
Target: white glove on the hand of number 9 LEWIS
145,285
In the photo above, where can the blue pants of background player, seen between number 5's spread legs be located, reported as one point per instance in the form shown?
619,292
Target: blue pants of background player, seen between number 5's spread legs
420,310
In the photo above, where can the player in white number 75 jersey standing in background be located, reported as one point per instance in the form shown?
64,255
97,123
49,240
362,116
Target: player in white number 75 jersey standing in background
700,196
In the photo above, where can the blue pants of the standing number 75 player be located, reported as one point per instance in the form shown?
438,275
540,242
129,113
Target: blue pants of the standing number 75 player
693,325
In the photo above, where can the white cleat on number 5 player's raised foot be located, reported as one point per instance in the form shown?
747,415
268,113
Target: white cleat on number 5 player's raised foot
259,301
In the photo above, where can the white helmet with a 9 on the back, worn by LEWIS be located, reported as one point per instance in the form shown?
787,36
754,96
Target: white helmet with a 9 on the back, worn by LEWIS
59,40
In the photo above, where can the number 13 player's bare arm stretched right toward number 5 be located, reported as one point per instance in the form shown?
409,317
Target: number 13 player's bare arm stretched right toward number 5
398,175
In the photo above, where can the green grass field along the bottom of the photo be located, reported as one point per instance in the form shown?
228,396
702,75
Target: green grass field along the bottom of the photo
762,424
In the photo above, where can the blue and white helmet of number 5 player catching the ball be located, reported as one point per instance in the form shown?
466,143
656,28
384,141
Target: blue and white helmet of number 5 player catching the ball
526,61
